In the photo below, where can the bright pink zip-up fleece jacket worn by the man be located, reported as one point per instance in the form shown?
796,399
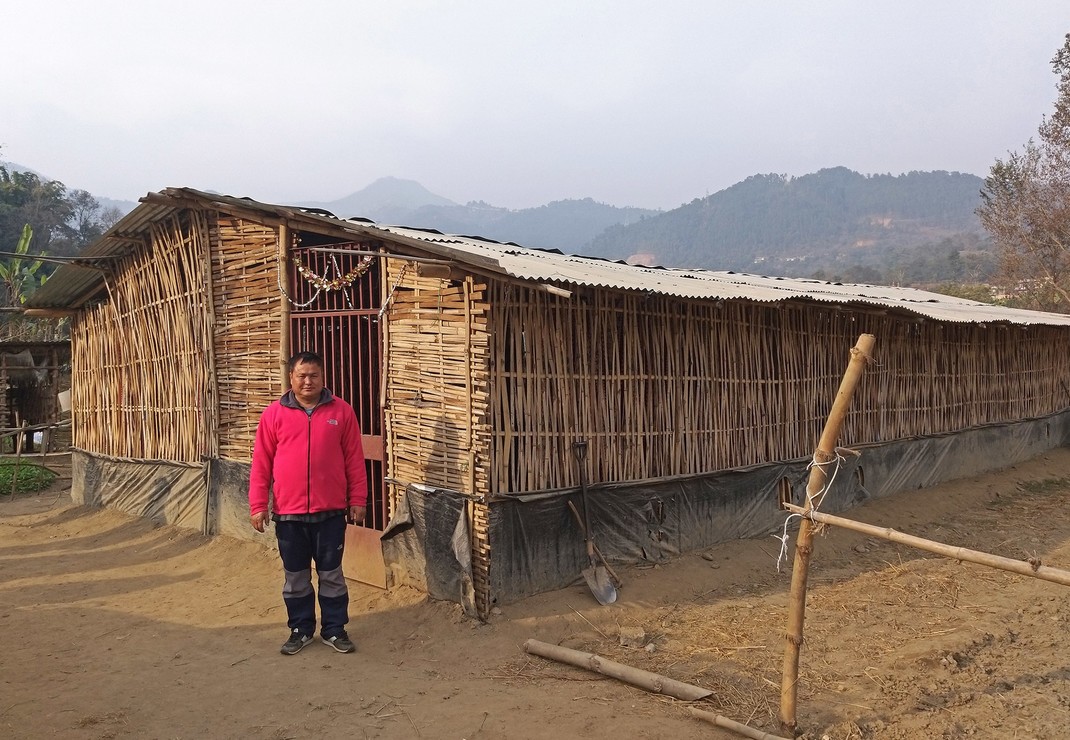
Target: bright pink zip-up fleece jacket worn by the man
310,462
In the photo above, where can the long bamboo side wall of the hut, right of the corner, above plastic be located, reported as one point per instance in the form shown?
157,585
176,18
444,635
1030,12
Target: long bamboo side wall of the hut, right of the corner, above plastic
662,387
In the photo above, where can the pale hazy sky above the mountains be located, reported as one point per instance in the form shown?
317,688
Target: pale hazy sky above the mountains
516,103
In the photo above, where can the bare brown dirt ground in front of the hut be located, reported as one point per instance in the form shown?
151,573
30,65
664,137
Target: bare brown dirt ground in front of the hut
112,627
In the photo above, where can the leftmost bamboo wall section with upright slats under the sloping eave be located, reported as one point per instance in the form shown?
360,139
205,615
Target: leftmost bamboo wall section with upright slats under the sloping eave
141,380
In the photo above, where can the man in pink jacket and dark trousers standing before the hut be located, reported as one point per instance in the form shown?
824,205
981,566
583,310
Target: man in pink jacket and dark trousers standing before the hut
309,455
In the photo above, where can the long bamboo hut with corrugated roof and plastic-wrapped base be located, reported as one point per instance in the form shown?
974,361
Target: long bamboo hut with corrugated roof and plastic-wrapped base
476,368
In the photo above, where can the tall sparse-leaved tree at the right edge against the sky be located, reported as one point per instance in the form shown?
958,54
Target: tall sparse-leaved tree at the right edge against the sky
1026,206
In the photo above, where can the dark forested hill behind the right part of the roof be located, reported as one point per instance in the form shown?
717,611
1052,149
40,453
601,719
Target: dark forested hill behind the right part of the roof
789,226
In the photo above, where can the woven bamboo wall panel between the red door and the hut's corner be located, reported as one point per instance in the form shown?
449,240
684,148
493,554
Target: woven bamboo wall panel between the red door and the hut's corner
437,403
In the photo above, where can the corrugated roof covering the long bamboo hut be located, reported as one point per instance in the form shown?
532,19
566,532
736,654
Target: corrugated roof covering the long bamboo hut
71,286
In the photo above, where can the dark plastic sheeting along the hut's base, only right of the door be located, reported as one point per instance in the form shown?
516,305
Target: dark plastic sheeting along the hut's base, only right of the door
537,544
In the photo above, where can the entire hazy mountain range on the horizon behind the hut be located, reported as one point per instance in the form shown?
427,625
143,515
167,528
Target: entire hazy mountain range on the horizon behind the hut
831,222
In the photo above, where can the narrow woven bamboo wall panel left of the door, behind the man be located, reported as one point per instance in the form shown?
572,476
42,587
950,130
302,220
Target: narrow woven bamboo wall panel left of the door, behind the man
248,309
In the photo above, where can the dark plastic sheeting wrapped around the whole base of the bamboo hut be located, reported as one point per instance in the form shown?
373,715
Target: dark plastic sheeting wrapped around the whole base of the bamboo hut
536,542
